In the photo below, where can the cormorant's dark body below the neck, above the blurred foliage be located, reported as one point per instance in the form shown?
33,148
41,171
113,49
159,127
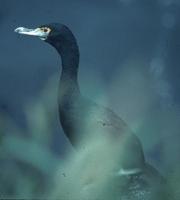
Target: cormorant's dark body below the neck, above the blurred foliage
84,120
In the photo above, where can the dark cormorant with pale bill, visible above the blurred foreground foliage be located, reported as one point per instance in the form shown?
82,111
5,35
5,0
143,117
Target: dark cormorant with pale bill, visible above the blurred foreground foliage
85,122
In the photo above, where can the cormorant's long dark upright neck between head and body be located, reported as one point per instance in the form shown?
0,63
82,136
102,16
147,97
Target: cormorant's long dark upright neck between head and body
69,52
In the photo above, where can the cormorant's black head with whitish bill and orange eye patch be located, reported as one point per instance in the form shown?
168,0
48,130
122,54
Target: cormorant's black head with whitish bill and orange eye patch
59,36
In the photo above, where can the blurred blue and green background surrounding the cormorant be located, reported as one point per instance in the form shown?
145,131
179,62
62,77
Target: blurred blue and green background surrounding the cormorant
130,55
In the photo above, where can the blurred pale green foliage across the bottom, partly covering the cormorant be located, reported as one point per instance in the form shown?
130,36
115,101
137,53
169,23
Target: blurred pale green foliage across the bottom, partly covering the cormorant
30,169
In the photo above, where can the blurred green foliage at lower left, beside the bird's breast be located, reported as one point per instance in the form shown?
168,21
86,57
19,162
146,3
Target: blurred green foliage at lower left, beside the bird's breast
27,162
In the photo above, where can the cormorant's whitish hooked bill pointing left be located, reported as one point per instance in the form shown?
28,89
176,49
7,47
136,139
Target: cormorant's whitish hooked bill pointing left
33,32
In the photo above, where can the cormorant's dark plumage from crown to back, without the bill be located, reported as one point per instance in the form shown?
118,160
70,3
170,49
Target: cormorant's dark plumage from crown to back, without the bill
81,117
